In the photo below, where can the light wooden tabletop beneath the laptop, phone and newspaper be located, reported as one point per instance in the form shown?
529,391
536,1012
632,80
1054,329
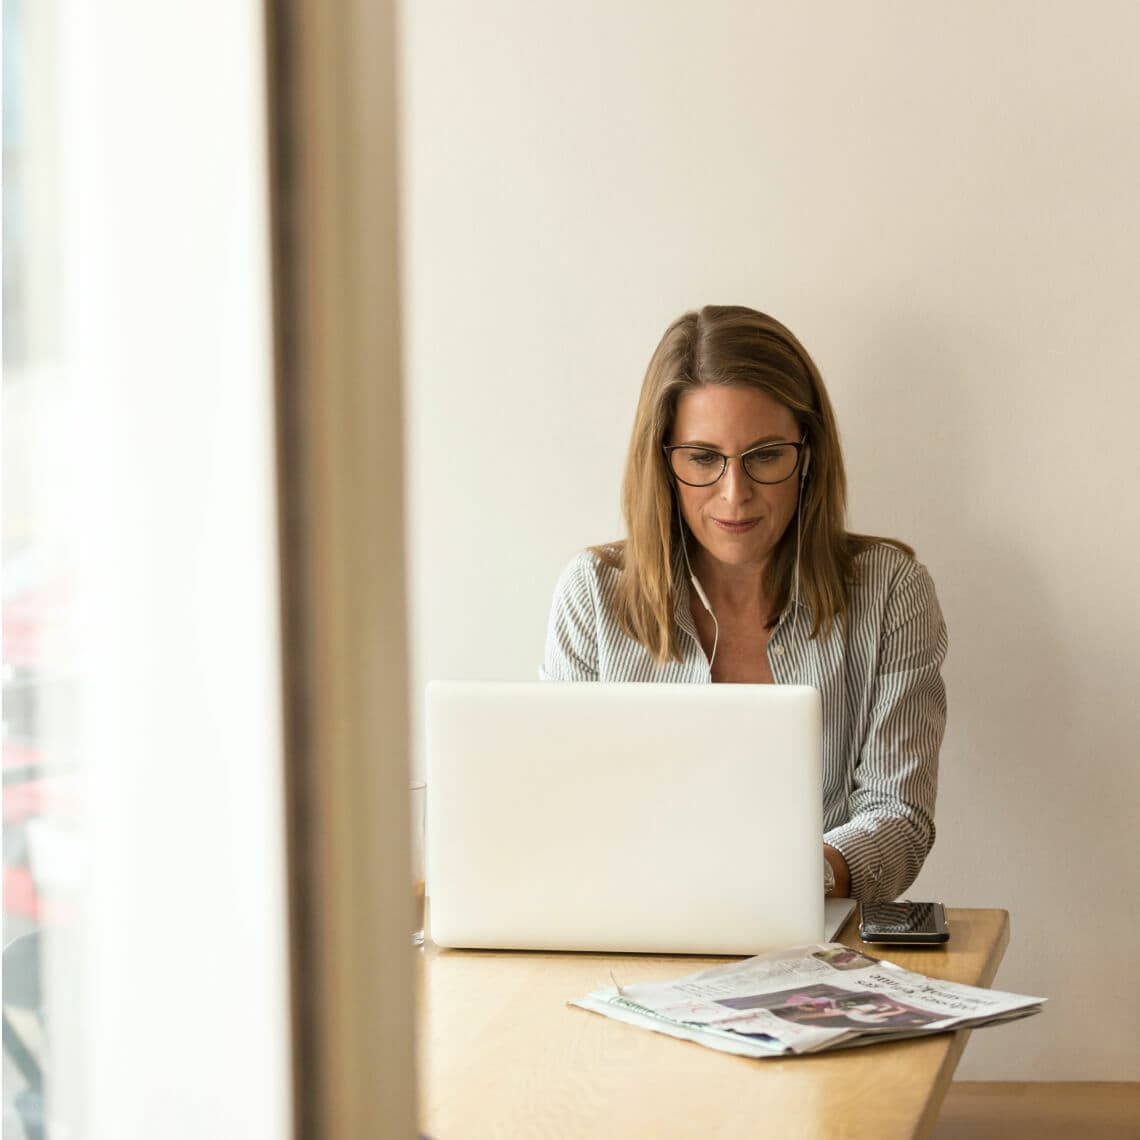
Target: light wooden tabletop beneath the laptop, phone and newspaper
502,1055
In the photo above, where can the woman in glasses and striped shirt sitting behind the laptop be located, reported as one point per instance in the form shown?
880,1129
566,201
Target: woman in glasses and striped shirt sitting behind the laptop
738,567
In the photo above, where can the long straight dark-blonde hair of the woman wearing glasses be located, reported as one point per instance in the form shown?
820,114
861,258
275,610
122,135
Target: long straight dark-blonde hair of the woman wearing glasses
738,347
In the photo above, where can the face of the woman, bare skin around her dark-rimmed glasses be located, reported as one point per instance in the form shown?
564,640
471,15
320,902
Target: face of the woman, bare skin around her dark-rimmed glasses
737,520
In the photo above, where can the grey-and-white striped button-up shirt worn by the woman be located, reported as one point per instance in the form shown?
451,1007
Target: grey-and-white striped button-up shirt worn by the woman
878,673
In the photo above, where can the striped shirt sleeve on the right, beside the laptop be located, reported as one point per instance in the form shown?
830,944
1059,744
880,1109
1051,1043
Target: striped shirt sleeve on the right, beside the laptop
891,827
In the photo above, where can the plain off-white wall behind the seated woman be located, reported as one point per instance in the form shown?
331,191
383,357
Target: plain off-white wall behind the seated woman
942,202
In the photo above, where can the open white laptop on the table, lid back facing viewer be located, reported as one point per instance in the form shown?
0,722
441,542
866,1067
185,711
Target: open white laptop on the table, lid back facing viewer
640,818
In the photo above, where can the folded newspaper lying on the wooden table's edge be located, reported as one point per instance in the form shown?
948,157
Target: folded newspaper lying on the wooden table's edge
805,1000
